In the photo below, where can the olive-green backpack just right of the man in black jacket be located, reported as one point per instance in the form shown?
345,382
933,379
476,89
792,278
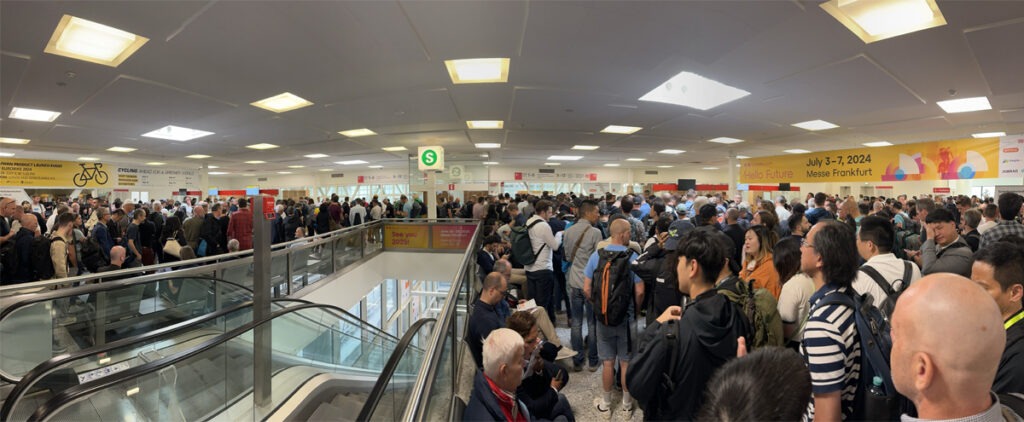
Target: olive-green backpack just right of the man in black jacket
761,310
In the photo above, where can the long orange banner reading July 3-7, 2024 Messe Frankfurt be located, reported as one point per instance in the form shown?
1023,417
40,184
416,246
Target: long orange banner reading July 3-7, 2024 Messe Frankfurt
946,160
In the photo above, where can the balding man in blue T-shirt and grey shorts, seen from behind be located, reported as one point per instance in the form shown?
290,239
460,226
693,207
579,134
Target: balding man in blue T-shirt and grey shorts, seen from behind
614,342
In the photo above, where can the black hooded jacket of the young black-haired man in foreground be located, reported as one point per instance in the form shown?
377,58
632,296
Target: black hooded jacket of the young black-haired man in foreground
676,360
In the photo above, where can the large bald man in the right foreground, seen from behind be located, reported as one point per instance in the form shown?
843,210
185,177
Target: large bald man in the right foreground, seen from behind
948,337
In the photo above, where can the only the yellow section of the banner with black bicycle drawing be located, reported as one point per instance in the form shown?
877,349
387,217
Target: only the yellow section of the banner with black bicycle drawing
20,173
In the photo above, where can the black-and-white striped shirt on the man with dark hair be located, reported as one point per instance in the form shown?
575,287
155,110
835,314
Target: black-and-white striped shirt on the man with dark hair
832,351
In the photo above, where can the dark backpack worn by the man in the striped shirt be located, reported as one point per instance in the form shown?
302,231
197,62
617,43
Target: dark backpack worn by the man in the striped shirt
876,347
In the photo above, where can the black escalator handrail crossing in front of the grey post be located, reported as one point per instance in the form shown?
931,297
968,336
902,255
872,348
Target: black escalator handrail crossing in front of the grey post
68,397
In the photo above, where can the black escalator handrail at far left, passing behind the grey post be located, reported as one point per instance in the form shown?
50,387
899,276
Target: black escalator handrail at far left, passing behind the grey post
41,370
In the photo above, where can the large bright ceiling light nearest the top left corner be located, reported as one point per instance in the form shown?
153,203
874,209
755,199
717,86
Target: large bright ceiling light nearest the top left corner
87,40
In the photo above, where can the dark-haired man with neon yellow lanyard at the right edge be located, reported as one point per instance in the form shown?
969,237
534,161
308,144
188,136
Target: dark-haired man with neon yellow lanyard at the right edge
998,269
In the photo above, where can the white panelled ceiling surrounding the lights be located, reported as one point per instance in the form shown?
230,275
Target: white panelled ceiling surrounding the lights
576,68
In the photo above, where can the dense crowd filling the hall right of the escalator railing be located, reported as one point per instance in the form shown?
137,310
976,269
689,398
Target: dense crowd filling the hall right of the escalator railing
710,308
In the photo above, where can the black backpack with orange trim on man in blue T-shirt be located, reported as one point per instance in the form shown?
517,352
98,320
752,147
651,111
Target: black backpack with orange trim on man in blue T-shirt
613,289
